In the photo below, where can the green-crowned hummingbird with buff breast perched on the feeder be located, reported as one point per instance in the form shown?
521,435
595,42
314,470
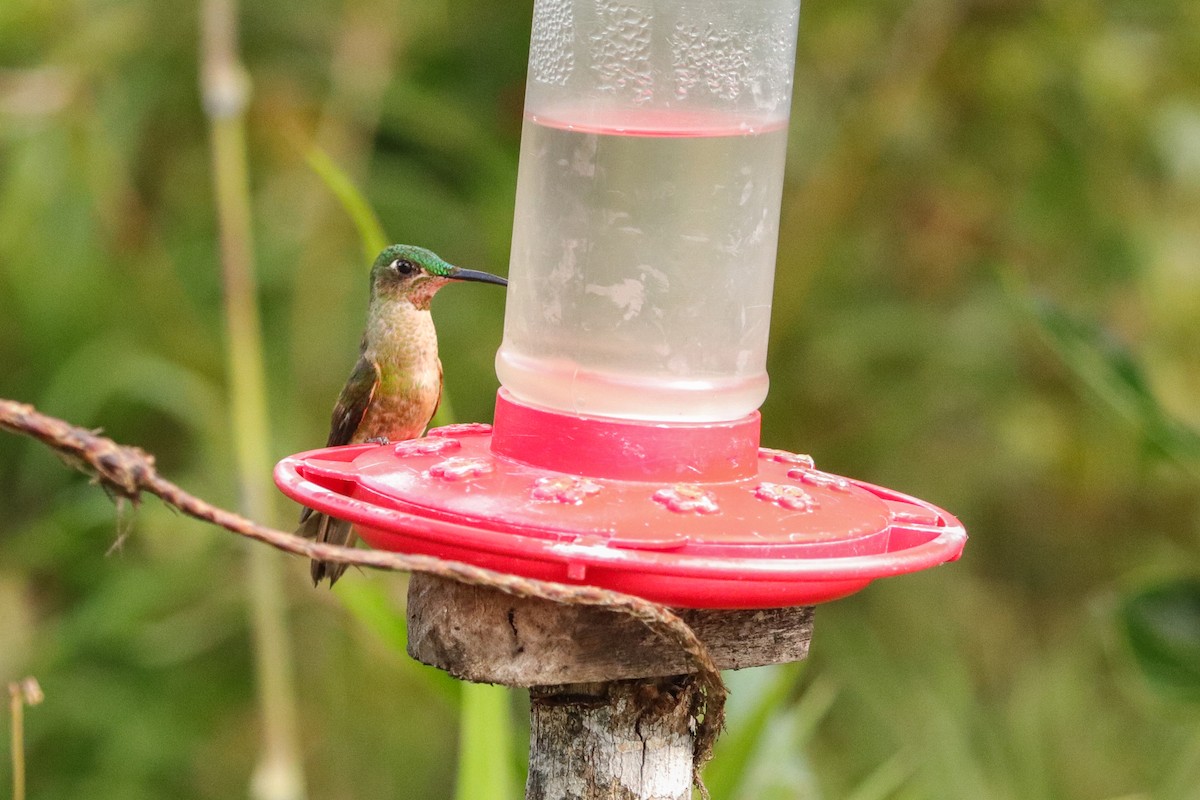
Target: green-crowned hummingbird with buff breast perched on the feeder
394,389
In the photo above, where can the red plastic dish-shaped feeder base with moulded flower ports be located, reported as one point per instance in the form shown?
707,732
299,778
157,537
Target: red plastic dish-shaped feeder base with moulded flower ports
770,531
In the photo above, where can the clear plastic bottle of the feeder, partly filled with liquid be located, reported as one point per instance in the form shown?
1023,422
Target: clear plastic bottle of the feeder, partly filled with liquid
647,210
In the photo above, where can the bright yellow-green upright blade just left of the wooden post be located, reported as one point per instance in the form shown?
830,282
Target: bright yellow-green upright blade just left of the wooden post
485,745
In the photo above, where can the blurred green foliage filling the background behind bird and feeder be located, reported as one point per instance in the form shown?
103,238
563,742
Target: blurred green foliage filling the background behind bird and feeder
988,296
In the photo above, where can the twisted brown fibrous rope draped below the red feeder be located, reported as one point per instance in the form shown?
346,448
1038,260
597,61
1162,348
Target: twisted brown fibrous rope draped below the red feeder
128,472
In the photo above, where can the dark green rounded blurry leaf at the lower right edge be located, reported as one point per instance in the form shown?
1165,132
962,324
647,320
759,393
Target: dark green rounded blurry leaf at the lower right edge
1162,625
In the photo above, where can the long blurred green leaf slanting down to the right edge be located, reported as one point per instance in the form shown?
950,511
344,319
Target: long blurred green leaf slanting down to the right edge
1115,375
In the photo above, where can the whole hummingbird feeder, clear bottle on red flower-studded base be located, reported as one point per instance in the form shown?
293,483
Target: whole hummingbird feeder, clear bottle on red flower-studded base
625,452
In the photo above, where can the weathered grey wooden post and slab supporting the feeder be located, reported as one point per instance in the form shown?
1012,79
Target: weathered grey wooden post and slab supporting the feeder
610,711
